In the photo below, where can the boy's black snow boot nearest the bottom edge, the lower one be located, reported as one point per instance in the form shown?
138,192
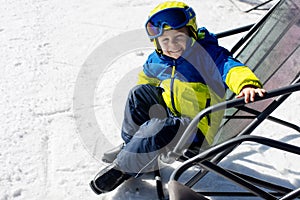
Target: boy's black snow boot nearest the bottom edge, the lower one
108,179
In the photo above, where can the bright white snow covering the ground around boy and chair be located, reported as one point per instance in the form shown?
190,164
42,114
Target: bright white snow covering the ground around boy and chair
43,47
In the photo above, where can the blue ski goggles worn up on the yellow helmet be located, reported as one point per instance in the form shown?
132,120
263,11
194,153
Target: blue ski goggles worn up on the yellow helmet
174,17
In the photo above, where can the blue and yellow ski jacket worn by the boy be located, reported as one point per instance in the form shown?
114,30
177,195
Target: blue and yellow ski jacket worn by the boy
197,79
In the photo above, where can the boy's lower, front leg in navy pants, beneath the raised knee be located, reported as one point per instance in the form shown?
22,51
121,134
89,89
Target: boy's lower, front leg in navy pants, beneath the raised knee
154,137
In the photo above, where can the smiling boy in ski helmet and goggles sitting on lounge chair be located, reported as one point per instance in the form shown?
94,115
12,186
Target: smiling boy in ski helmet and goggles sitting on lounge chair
187,72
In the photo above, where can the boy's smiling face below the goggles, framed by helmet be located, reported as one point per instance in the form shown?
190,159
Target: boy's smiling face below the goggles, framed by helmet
174,42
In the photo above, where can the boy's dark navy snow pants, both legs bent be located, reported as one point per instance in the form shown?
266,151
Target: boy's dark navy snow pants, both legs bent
148,129
